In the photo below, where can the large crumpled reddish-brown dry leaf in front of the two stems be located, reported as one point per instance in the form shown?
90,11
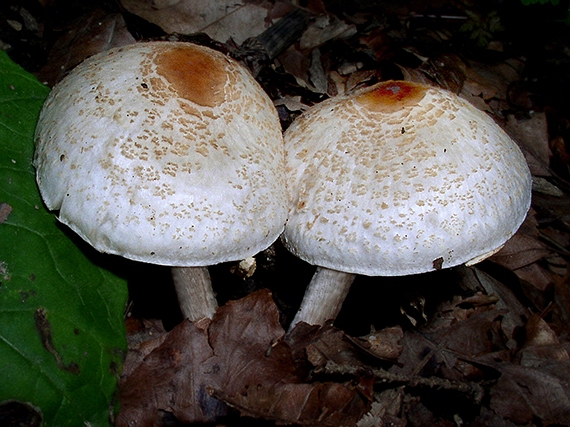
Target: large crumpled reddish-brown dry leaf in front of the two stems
240,359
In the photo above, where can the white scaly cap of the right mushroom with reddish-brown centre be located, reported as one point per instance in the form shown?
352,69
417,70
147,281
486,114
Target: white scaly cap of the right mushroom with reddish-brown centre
401,178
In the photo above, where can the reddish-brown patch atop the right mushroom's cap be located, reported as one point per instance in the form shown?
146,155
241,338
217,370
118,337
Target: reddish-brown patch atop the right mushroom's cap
392,95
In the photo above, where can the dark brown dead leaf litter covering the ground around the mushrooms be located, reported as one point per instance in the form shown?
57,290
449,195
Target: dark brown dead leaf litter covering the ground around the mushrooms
492,351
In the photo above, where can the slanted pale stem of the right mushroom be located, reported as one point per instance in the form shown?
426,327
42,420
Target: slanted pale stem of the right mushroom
324,296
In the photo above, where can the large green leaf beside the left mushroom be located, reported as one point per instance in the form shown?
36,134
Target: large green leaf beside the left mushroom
62,338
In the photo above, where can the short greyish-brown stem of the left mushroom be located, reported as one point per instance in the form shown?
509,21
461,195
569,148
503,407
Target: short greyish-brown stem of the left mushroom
194,290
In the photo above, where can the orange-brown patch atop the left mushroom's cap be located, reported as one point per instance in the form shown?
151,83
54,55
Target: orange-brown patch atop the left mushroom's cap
196,75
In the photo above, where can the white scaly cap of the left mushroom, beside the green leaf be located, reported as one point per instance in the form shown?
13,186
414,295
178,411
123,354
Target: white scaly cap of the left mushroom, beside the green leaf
164,152
